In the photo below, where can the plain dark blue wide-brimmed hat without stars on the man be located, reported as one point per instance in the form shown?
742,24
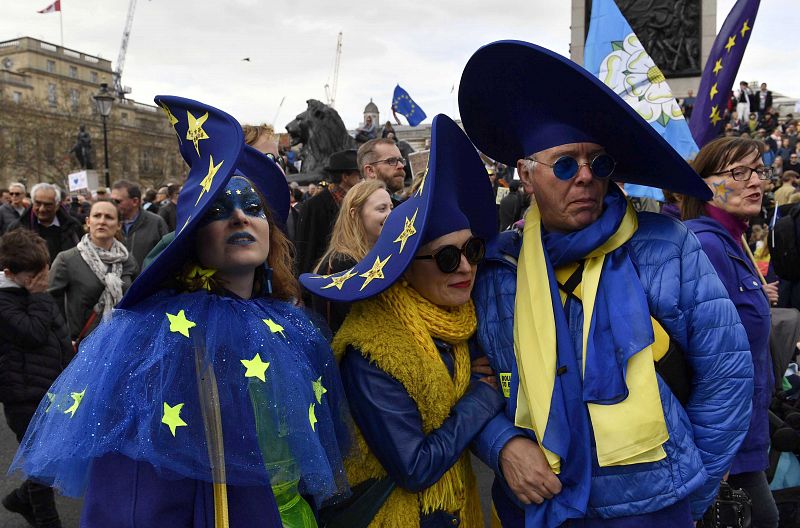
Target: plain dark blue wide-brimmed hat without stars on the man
518,98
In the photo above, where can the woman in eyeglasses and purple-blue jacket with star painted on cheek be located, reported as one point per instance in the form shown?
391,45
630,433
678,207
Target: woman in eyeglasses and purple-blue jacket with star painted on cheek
733,169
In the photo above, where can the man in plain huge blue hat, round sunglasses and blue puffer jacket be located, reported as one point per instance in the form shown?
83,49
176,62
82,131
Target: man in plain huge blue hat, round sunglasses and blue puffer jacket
611,335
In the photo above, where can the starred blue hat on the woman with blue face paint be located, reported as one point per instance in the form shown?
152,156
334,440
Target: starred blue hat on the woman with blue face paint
212,144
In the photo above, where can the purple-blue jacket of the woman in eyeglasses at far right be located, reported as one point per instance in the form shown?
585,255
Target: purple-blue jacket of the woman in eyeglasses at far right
741,280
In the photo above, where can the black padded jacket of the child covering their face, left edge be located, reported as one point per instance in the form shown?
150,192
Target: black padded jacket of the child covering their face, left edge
34,345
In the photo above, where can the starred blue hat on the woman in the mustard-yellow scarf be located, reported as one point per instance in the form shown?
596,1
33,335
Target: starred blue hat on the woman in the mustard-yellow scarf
455,194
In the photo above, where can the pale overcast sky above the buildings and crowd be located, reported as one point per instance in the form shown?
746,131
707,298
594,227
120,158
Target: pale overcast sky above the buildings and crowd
194,48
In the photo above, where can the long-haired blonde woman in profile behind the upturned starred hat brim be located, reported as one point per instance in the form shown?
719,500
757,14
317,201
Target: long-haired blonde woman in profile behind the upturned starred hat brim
361,216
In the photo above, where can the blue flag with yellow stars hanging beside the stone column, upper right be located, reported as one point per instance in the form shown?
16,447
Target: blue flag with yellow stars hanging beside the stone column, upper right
720,72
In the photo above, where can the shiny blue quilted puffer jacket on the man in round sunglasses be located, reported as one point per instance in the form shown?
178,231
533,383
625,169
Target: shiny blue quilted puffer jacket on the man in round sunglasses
685,295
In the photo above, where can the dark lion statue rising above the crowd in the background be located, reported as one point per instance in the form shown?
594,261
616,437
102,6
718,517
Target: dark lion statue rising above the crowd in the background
321,132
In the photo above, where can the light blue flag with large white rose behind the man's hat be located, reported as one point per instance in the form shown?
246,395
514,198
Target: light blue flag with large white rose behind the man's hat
615,55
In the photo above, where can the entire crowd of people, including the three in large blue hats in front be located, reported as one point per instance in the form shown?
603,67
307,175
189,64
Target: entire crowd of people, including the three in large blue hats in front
238,351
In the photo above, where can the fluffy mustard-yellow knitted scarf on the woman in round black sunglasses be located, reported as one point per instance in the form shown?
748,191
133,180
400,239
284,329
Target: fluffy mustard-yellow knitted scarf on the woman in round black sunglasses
395,330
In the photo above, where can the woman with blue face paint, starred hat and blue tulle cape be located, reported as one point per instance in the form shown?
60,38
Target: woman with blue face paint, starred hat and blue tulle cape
207,399
